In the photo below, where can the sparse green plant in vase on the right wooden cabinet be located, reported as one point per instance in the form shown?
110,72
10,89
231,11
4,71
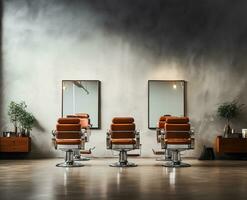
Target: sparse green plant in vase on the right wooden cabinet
229,111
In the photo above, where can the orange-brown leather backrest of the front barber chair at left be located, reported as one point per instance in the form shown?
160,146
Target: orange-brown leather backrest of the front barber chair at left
68,128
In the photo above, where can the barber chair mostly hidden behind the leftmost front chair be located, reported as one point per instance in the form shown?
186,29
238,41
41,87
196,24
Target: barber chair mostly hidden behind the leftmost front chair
86,130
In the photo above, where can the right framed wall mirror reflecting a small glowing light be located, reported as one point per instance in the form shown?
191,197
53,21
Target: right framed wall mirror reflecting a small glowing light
165,98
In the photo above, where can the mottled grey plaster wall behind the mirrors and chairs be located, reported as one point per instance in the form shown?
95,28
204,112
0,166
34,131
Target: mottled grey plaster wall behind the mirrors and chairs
123,44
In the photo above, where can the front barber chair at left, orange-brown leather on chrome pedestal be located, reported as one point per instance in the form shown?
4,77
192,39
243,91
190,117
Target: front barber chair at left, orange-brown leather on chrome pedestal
68,137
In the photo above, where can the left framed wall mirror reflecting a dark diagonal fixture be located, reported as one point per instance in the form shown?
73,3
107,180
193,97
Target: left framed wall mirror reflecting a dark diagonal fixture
82,96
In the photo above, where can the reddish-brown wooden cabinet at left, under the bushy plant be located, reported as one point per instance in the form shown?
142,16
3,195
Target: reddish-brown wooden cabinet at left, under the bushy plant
15,144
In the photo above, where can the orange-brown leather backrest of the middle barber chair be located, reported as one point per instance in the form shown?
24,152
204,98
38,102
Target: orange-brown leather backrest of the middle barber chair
123,127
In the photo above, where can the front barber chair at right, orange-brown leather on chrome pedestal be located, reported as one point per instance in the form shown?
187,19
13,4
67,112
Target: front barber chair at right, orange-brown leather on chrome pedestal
176,137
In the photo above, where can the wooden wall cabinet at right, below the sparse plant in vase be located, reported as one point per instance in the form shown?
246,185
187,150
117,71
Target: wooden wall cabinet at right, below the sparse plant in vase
230,145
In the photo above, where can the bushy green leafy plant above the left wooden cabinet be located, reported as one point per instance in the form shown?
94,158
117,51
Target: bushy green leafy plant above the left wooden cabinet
20,117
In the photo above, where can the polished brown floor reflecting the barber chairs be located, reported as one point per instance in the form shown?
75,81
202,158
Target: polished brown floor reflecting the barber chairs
40,179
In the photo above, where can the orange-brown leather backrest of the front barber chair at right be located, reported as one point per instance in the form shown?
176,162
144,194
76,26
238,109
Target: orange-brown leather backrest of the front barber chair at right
177,127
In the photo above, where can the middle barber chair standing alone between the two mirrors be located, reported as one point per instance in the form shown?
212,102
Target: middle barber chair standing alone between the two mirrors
123,137
